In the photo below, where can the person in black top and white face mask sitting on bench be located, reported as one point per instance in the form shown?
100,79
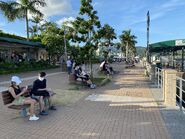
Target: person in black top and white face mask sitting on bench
39,89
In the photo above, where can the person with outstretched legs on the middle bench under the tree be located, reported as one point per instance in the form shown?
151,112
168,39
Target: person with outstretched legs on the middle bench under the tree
79,73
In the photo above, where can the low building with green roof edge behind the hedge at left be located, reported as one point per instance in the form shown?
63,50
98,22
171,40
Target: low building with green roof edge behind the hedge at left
21,49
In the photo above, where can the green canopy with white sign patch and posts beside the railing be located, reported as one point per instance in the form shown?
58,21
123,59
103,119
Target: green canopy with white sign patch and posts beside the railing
168,46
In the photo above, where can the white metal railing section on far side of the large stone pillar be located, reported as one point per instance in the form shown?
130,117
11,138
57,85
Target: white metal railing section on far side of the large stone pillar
159,77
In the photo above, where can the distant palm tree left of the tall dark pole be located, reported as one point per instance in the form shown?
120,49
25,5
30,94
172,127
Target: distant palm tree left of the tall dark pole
129,41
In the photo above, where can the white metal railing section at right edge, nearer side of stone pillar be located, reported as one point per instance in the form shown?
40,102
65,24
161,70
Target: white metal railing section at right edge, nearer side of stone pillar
180,92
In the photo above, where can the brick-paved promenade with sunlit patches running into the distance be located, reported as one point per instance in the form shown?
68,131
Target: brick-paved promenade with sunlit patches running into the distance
123,109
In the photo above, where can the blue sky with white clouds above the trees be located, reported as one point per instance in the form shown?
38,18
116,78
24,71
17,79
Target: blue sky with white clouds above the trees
167,17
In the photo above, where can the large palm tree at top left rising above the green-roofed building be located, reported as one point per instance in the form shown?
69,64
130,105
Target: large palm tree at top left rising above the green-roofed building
14,10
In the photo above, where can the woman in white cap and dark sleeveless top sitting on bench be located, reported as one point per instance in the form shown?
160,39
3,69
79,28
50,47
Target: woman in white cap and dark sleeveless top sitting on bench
17,93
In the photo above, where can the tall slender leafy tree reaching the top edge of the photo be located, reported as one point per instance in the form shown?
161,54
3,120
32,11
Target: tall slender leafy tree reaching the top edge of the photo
87,24
